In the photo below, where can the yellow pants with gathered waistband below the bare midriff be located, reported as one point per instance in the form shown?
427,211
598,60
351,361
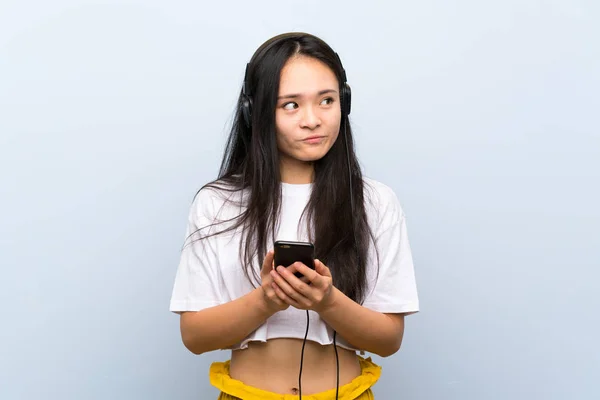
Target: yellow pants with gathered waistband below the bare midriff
231,389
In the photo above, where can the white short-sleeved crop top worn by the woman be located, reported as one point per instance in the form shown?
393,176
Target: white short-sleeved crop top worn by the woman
210,272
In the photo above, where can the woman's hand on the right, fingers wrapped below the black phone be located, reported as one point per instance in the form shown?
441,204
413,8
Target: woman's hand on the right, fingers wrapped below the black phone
312,292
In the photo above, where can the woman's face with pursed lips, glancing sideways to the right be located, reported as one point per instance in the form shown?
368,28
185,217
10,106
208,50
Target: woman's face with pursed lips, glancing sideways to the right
308,112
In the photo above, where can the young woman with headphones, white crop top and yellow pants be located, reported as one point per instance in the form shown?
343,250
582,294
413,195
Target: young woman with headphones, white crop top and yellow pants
290,173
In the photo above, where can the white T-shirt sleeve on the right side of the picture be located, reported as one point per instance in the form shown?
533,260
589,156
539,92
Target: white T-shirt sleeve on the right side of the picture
393,287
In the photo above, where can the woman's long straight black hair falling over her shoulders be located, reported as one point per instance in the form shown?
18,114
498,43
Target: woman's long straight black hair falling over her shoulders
337,224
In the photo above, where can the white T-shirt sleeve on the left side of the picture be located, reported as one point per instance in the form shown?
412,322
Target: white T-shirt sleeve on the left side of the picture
197,279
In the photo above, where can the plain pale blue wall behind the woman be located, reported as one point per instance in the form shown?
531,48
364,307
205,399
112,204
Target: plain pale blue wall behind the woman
483,117
